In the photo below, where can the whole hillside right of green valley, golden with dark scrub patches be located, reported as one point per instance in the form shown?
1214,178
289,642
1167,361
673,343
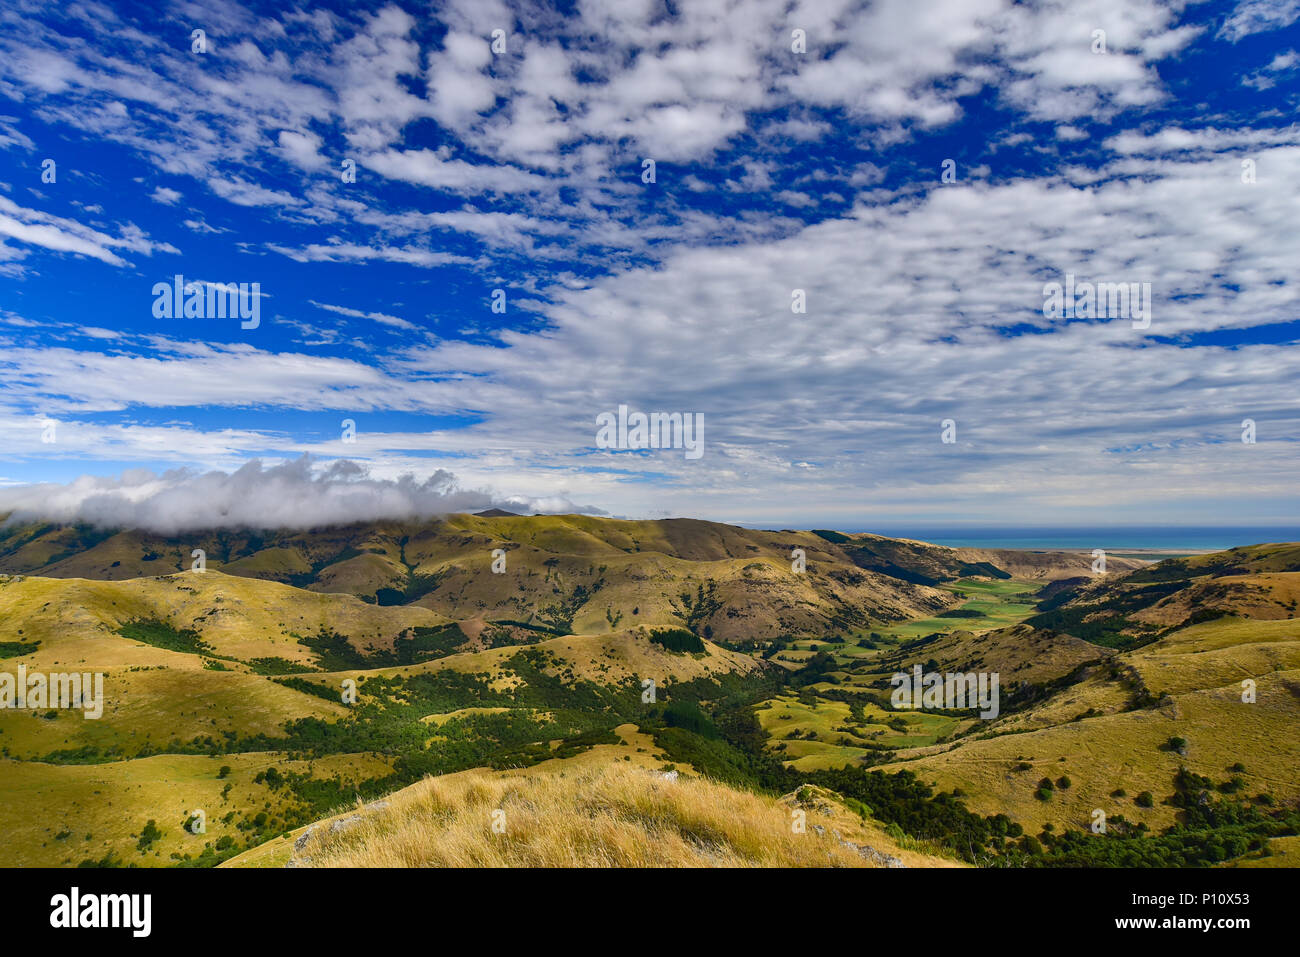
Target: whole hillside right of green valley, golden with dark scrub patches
1085,725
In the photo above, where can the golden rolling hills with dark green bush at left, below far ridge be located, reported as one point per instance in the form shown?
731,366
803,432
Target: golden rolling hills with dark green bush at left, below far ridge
172,721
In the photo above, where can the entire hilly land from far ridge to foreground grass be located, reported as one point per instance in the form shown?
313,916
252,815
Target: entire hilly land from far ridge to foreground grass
226,694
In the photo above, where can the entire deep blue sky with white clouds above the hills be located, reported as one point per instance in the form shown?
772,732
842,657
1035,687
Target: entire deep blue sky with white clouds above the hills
1164,149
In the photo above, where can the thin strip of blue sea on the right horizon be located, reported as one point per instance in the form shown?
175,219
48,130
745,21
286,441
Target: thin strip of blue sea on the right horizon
1112,539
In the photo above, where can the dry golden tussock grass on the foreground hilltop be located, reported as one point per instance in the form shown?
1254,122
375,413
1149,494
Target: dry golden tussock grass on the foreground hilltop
599,817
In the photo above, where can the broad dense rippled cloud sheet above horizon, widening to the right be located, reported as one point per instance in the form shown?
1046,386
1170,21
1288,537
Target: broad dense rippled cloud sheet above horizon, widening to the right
911,300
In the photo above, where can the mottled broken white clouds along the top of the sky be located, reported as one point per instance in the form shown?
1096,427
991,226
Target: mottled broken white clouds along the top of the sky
674,86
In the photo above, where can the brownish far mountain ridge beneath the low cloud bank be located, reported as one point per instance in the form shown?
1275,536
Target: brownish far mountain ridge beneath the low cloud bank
566,573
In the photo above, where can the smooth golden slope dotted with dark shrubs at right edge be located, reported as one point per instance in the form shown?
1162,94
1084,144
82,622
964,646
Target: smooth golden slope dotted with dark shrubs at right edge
1121,728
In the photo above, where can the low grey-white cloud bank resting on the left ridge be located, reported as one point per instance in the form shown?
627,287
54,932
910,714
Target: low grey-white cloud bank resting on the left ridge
294,495
